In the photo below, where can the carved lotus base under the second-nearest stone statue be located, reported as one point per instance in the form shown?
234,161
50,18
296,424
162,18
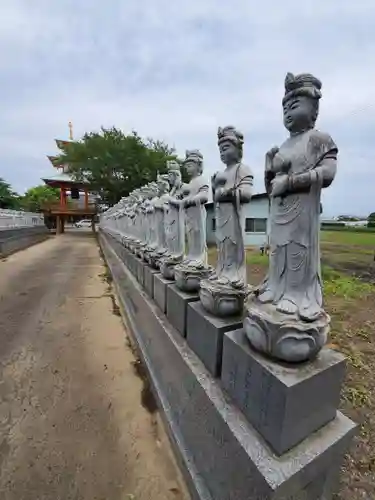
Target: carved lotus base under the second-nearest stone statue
222,300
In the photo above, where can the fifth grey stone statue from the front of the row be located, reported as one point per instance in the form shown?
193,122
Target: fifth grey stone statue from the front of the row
161,250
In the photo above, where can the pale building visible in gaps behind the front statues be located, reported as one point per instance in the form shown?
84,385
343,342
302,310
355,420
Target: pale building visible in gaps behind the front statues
255,221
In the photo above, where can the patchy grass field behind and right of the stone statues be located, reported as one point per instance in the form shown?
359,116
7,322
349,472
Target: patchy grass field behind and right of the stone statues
349,291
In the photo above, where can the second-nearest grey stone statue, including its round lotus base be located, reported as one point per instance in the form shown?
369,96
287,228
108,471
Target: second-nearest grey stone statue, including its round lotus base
224,293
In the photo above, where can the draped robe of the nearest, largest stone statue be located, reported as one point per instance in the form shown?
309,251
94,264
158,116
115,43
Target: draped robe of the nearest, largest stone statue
294,273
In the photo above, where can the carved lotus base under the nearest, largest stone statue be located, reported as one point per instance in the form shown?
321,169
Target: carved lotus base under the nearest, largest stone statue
281,336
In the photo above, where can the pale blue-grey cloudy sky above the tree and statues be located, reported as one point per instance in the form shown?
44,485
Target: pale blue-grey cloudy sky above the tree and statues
177,69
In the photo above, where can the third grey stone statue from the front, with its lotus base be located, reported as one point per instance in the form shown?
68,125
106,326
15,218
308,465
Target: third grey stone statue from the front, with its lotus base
195,194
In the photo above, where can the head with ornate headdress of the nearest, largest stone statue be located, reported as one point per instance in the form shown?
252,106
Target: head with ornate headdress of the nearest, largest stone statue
301,101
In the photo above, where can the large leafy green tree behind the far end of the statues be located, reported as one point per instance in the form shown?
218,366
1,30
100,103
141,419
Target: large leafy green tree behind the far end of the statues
114,163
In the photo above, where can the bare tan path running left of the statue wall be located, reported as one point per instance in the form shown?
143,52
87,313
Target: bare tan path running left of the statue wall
72,426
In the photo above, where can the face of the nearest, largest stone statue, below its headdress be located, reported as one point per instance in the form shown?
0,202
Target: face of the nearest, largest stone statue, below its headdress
298,113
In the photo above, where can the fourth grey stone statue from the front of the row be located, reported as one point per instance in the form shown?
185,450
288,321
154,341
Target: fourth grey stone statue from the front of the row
173,223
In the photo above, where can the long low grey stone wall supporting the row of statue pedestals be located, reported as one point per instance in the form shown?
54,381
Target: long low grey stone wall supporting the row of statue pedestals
220,453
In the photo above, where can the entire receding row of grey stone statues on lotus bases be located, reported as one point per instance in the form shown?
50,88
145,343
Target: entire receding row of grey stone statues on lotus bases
164,222
